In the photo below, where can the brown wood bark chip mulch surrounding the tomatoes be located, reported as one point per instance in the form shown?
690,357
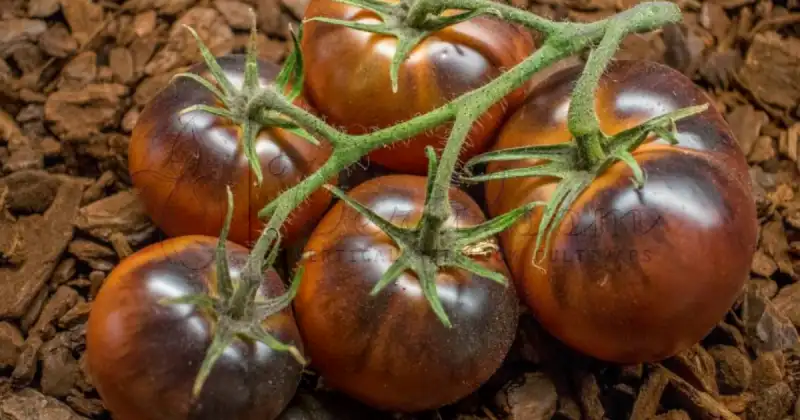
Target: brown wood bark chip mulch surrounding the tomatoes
74,75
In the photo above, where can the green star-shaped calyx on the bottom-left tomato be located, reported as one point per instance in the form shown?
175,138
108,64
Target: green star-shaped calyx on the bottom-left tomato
232,317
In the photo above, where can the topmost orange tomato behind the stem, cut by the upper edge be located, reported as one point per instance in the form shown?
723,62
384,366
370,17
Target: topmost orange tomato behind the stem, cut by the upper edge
347,78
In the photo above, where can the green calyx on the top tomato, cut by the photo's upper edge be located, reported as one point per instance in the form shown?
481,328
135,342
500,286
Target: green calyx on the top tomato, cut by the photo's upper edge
409,22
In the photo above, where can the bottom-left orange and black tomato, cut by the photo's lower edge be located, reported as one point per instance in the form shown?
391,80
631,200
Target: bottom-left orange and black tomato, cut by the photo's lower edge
143,355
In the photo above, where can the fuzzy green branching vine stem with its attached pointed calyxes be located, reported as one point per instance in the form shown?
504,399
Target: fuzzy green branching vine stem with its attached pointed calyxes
254,106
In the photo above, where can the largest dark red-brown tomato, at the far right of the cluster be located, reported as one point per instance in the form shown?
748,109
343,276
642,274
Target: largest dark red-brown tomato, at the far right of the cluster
632,275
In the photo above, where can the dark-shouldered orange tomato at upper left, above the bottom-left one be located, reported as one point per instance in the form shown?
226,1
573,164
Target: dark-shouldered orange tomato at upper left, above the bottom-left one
181,165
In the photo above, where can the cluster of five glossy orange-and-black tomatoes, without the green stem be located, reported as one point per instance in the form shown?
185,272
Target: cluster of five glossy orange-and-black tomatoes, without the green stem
621,282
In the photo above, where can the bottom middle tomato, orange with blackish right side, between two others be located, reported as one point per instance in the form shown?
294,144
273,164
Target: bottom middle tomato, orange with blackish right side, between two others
391,351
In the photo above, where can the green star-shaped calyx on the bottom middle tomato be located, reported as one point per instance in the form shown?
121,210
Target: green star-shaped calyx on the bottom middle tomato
424,254
